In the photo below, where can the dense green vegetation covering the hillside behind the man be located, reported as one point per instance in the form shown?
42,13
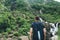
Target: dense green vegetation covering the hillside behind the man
16,16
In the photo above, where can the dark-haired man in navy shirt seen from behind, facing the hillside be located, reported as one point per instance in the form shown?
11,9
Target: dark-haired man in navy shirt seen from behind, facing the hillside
37,30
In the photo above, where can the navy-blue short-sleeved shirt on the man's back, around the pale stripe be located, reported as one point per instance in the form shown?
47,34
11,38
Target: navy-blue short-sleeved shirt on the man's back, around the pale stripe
37,26
